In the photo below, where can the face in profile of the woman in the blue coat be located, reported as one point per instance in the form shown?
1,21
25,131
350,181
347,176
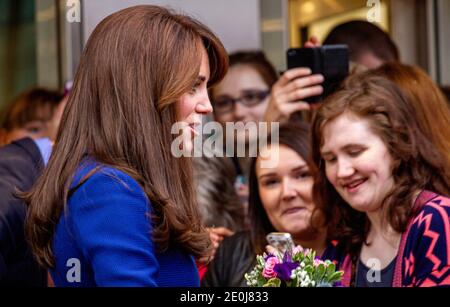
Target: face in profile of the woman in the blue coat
195,103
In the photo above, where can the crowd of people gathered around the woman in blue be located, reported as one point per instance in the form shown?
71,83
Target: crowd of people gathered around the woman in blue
88,178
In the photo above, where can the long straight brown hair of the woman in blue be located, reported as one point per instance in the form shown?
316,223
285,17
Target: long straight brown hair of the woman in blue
137,63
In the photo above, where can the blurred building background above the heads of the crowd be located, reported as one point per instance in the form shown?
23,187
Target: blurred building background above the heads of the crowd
41,40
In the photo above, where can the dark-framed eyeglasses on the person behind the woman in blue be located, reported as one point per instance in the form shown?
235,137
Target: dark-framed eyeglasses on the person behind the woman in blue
249,98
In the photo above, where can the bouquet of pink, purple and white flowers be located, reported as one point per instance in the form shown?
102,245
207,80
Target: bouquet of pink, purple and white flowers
295,268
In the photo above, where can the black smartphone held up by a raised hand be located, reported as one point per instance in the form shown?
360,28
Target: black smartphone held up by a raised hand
331,61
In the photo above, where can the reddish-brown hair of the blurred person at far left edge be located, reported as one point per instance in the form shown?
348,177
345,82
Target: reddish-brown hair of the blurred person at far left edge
36,104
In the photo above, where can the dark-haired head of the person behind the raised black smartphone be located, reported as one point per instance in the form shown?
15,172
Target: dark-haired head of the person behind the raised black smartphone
368,45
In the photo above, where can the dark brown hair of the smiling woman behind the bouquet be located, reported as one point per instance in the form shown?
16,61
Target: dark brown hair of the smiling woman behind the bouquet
296,136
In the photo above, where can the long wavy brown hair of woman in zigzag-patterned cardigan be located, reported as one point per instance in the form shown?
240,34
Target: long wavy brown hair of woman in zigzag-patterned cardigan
417,163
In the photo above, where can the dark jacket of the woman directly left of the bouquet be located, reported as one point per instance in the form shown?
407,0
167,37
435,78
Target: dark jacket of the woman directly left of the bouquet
233,259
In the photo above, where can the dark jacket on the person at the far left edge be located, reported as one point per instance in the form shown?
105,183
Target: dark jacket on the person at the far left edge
20,165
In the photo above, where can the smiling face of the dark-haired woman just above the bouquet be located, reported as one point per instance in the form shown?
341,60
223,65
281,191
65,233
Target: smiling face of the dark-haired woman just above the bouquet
286,190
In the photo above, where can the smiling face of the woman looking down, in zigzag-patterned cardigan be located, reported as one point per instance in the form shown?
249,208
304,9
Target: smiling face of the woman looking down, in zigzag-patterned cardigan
357,162
